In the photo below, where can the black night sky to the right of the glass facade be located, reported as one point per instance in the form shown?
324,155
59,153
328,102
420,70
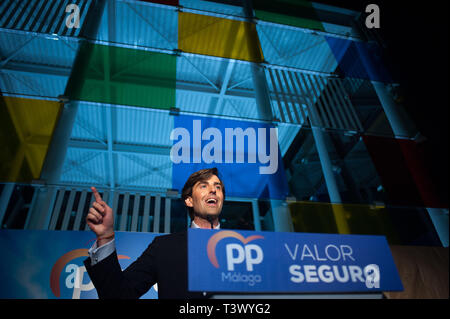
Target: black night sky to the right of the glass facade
417,37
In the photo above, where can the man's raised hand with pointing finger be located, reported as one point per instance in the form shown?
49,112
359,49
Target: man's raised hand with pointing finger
100,219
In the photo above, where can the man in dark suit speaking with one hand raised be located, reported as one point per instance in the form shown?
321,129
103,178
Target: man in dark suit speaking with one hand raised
165,260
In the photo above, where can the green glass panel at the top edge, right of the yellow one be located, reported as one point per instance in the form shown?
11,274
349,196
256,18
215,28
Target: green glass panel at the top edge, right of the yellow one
294,13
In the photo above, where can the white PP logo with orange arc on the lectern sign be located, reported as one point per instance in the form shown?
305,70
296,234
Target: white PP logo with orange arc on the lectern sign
251,254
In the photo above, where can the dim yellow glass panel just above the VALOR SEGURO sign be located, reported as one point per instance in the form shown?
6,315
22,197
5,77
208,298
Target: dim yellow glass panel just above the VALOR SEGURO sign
314,217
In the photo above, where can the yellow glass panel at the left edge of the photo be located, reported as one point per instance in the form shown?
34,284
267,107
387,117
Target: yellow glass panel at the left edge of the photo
26,129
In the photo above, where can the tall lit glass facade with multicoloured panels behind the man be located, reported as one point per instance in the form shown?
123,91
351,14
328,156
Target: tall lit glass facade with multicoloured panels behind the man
207,79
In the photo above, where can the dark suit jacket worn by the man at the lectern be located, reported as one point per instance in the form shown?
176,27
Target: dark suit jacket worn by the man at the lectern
163,262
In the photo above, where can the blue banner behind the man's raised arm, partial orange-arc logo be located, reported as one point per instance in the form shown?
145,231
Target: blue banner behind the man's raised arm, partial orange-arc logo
49,264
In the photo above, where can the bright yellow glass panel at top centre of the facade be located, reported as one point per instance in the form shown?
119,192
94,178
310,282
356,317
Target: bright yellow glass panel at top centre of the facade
218,37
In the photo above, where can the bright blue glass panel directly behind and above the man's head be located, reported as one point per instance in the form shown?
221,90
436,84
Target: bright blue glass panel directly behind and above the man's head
246,153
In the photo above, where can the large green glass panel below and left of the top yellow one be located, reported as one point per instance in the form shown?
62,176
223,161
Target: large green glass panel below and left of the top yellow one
115,75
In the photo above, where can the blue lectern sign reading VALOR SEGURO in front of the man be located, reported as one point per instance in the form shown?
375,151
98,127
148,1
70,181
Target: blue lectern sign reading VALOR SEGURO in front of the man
248,261
